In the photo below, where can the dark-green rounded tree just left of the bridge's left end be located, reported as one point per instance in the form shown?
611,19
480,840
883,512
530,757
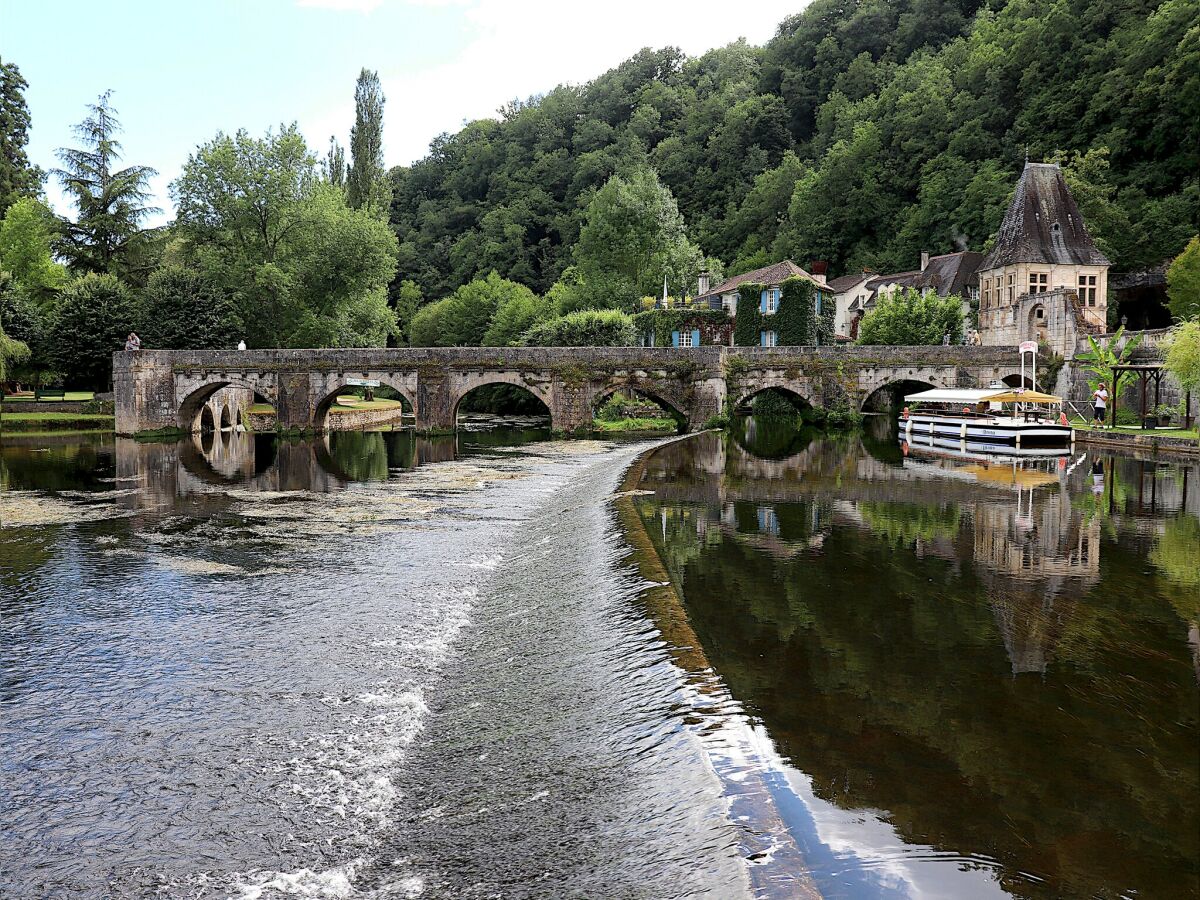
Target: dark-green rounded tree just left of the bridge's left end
97,313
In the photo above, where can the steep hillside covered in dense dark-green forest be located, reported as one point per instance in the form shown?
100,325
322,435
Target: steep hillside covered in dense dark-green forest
862,134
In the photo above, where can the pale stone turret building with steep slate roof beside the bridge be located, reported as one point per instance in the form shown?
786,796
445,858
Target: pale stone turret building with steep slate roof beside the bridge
1045,280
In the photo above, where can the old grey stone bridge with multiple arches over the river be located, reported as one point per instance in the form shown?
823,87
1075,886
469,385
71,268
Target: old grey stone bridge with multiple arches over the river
170,389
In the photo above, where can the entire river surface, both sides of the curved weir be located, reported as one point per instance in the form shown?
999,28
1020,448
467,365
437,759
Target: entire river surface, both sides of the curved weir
760,664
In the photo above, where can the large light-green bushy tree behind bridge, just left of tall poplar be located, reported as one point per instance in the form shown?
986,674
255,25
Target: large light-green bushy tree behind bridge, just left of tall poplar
303,268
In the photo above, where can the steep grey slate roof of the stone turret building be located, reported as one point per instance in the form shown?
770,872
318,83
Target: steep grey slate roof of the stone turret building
1043,225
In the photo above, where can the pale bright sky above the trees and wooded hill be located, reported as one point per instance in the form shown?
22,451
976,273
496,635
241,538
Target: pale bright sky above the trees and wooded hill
184,71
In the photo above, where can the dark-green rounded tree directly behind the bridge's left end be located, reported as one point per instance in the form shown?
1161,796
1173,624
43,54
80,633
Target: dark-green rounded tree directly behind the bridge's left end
183,310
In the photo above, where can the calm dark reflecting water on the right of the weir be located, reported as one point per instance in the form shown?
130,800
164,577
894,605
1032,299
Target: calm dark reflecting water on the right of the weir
933,677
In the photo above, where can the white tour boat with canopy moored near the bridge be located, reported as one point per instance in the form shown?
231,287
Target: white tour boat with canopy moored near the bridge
994,421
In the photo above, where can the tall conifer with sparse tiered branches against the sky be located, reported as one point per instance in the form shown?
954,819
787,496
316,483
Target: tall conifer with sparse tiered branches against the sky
111,203
